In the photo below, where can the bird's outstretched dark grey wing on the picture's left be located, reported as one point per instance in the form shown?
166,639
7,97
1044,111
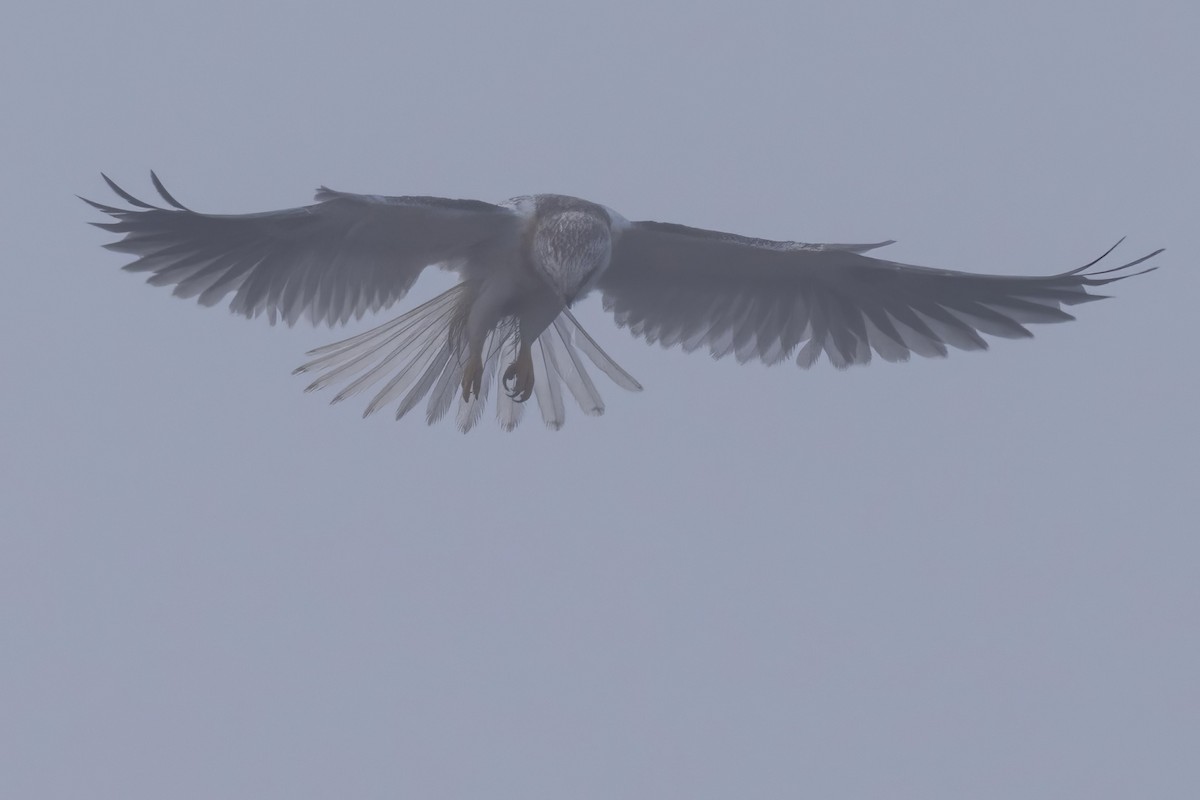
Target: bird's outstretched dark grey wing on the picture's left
332,261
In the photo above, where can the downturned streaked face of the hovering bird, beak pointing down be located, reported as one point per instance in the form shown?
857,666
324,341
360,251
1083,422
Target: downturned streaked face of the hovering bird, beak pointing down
571,250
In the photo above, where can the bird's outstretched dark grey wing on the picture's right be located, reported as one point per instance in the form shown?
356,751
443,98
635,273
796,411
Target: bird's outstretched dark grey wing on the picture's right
761,299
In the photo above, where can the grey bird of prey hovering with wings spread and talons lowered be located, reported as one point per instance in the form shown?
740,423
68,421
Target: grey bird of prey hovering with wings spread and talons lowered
525,263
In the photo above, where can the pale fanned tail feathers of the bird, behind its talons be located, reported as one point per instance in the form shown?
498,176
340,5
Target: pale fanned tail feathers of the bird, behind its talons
422,354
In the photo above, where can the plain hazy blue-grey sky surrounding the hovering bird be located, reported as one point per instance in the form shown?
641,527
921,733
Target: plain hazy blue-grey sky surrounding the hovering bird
974,578
